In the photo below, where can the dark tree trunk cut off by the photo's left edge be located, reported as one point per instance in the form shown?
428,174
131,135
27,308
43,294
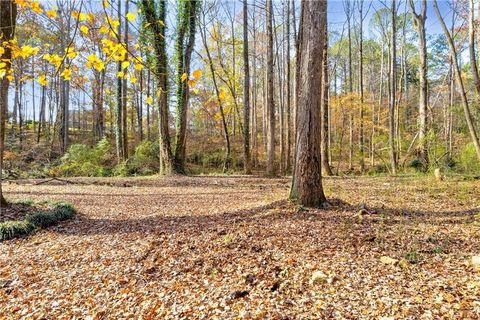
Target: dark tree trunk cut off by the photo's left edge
8,19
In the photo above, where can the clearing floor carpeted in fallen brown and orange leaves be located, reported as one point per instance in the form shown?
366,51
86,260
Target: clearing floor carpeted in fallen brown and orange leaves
233,247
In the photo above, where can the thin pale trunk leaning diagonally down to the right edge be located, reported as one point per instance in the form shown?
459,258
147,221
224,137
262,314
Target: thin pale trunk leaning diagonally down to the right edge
461,86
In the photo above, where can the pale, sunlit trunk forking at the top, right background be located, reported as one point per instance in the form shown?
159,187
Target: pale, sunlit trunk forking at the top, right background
419,22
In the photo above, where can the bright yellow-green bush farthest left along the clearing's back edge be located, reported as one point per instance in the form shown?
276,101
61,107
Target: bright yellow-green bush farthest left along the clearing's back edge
82,160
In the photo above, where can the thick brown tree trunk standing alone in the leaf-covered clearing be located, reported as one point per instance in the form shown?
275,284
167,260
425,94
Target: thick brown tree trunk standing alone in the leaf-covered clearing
307,187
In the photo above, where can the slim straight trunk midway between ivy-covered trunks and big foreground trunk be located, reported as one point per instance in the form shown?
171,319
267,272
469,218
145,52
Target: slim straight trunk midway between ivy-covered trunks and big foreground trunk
246,93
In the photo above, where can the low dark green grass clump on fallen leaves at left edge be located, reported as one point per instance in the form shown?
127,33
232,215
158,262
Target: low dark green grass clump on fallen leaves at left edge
58,211
